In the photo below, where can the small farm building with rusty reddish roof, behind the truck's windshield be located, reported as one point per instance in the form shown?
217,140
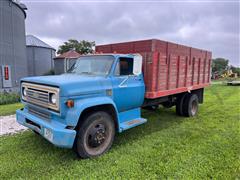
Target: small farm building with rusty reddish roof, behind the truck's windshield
64,61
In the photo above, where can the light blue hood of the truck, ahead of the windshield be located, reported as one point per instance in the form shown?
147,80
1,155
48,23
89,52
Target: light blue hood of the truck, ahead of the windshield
73,84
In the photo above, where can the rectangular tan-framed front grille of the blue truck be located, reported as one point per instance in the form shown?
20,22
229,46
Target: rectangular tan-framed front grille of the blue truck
39,95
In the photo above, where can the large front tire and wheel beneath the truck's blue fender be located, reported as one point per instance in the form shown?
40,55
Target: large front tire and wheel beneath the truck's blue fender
95,135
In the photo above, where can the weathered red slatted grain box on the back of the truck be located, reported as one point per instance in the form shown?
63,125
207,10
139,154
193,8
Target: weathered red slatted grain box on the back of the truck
168,68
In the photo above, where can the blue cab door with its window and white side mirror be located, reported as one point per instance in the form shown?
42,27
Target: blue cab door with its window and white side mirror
128,84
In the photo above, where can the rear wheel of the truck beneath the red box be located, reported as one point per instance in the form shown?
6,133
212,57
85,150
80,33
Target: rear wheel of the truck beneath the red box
190,105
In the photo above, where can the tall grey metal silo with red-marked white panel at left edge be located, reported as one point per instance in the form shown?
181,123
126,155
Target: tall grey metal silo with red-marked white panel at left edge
13,59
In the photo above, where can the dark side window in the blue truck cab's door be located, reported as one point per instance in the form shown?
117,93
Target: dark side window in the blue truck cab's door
124,67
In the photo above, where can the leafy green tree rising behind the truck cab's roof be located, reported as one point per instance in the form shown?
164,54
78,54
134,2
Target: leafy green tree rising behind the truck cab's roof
82,47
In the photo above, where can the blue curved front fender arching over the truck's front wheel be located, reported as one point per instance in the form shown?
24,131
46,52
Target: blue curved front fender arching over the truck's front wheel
73,114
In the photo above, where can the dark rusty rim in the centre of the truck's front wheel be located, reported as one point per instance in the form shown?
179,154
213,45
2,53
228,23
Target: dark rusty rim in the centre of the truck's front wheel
97,135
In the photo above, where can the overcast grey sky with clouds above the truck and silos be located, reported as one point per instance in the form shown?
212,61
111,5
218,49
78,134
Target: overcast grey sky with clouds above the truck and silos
211,25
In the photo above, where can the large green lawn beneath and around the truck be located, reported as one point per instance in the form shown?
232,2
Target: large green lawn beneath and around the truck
168,146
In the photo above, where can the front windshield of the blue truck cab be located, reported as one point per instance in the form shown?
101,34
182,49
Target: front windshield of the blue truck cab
92,65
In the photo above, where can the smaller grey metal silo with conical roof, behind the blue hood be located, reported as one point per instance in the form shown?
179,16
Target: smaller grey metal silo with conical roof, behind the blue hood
39,56
